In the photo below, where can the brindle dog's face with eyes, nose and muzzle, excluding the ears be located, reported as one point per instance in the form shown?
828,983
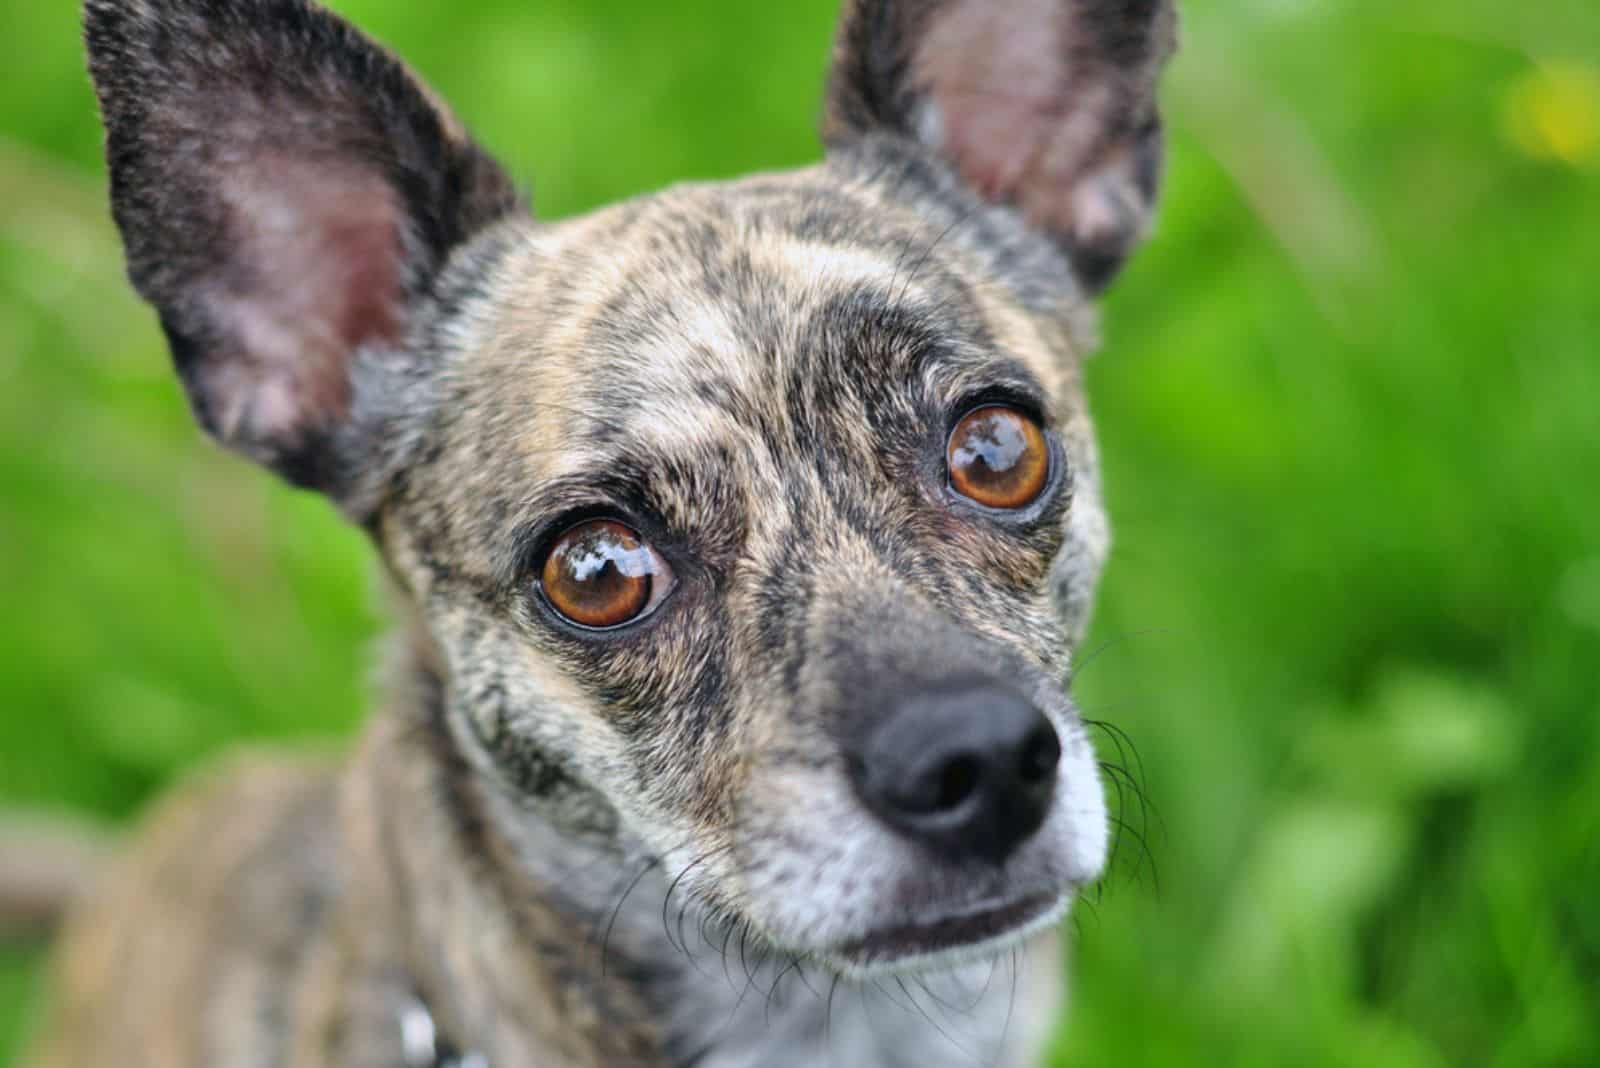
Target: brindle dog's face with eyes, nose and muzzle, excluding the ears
810,520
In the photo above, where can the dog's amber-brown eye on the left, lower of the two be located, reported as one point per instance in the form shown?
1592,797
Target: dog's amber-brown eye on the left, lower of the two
602,575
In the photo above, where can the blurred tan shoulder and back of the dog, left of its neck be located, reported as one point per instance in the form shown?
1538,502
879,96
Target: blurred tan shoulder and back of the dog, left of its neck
209,917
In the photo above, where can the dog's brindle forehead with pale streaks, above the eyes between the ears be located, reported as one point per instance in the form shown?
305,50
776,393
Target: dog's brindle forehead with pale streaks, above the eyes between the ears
716,311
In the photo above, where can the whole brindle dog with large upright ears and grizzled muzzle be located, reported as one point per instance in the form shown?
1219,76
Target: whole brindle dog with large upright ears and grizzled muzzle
740,535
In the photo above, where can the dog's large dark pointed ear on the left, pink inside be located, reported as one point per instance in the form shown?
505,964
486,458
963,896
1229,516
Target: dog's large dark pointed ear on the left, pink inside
287,194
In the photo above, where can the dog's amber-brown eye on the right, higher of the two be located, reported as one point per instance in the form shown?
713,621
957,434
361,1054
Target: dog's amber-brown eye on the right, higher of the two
999,458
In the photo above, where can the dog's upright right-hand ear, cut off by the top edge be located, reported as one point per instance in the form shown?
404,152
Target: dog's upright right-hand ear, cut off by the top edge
1042,105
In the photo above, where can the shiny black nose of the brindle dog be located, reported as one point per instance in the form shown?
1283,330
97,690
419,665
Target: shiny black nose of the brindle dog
969,771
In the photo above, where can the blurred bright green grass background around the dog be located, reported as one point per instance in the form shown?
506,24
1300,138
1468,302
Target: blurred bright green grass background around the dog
1351,415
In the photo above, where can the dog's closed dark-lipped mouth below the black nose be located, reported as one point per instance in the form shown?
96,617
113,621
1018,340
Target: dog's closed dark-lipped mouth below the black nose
927,942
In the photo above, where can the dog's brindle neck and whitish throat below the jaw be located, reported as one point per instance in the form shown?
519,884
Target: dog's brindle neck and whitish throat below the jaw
537,938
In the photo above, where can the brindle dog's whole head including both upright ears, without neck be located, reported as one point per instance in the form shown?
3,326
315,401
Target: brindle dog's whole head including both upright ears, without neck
764,511
